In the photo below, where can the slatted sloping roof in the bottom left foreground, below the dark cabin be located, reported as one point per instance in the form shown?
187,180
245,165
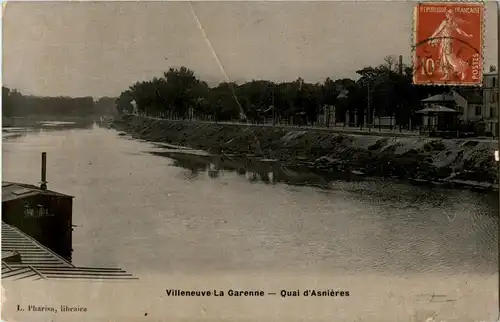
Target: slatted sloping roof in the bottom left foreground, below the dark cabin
24,258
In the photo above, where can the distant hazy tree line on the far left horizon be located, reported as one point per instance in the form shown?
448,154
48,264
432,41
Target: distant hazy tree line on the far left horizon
15,104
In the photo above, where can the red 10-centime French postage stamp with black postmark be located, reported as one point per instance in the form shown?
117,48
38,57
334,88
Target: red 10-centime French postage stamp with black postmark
448,44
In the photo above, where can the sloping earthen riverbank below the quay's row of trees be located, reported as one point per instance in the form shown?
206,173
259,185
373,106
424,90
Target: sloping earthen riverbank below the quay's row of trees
462,162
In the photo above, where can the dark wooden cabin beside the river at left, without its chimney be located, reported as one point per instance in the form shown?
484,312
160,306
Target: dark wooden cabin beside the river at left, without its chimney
42,214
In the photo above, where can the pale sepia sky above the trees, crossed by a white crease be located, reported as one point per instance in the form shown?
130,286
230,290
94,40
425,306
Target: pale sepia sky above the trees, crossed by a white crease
101,48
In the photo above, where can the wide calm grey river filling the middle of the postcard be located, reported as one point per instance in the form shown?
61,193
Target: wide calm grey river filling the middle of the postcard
156,210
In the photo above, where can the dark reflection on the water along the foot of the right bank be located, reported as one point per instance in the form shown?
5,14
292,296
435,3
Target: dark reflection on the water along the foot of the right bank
273,172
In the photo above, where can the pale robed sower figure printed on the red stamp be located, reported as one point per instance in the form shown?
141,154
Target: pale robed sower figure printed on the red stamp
450,63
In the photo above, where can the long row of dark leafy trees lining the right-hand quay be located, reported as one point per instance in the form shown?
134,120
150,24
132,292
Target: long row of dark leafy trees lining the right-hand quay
385,90
